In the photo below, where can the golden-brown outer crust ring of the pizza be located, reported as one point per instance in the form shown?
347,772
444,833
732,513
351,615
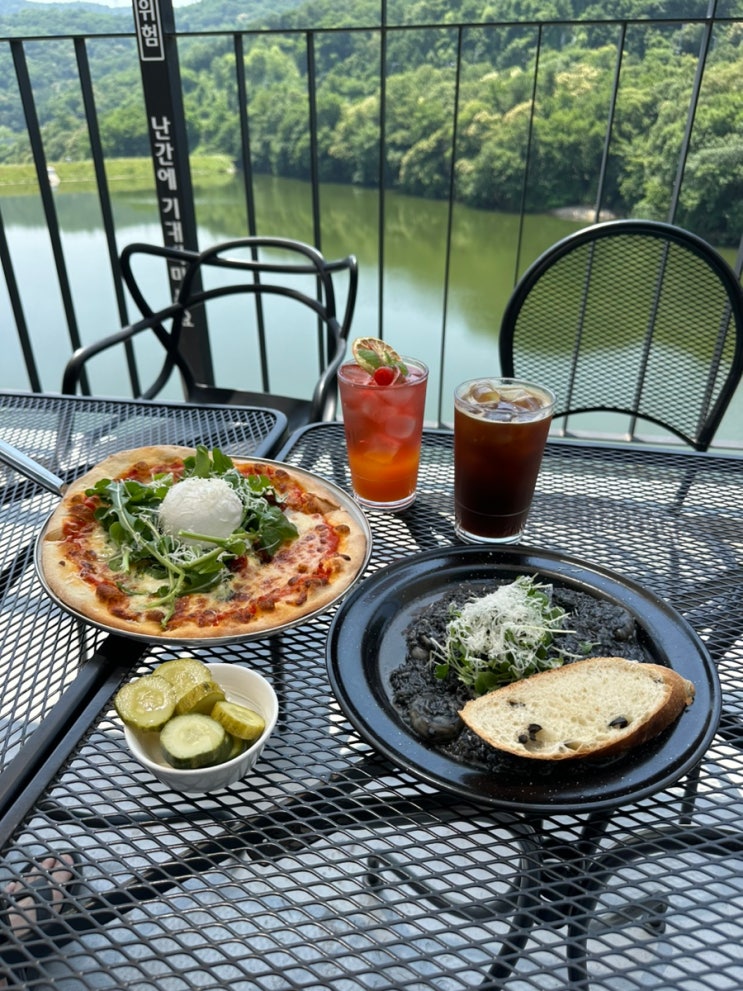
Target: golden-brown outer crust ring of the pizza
63,580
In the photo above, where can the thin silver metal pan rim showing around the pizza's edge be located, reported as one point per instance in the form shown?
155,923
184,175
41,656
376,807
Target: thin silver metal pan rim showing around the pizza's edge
344,500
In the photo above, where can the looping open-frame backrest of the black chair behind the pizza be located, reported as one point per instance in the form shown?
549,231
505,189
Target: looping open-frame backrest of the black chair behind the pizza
262,268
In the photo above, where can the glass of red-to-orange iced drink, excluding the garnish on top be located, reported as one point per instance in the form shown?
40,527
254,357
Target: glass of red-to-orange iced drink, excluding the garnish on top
383,419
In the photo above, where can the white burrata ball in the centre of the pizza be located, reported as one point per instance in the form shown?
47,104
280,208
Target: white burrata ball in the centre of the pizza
209,506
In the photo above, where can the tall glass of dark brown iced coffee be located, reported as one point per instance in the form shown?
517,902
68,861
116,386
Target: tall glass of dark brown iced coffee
500,429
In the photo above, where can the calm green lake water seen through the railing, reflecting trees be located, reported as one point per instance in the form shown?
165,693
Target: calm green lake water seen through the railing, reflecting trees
457,330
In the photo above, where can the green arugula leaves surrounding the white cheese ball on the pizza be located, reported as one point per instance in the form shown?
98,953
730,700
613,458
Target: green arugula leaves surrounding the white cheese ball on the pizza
129,510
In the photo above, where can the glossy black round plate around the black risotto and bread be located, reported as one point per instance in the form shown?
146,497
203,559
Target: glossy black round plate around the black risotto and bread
366,644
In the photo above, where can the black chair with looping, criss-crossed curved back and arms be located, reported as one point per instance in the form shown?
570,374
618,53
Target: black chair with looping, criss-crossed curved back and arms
268,270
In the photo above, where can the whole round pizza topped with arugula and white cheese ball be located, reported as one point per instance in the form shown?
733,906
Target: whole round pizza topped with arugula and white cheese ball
168,542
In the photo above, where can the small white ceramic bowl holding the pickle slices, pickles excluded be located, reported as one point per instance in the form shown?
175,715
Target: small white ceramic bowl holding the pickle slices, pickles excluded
240,685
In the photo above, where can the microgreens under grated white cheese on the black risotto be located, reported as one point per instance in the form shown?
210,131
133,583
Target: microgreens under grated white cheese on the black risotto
502,637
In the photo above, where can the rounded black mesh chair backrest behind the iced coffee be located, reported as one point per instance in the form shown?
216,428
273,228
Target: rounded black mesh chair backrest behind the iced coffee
633,317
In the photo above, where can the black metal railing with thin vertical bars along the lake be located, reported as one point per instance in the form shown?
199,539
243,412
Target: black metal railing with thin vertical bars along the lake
312,38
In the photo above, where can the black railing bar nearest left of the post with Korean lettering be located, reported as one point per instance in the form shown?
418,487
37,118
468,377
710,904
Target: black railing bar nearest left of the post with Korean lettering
104,199
